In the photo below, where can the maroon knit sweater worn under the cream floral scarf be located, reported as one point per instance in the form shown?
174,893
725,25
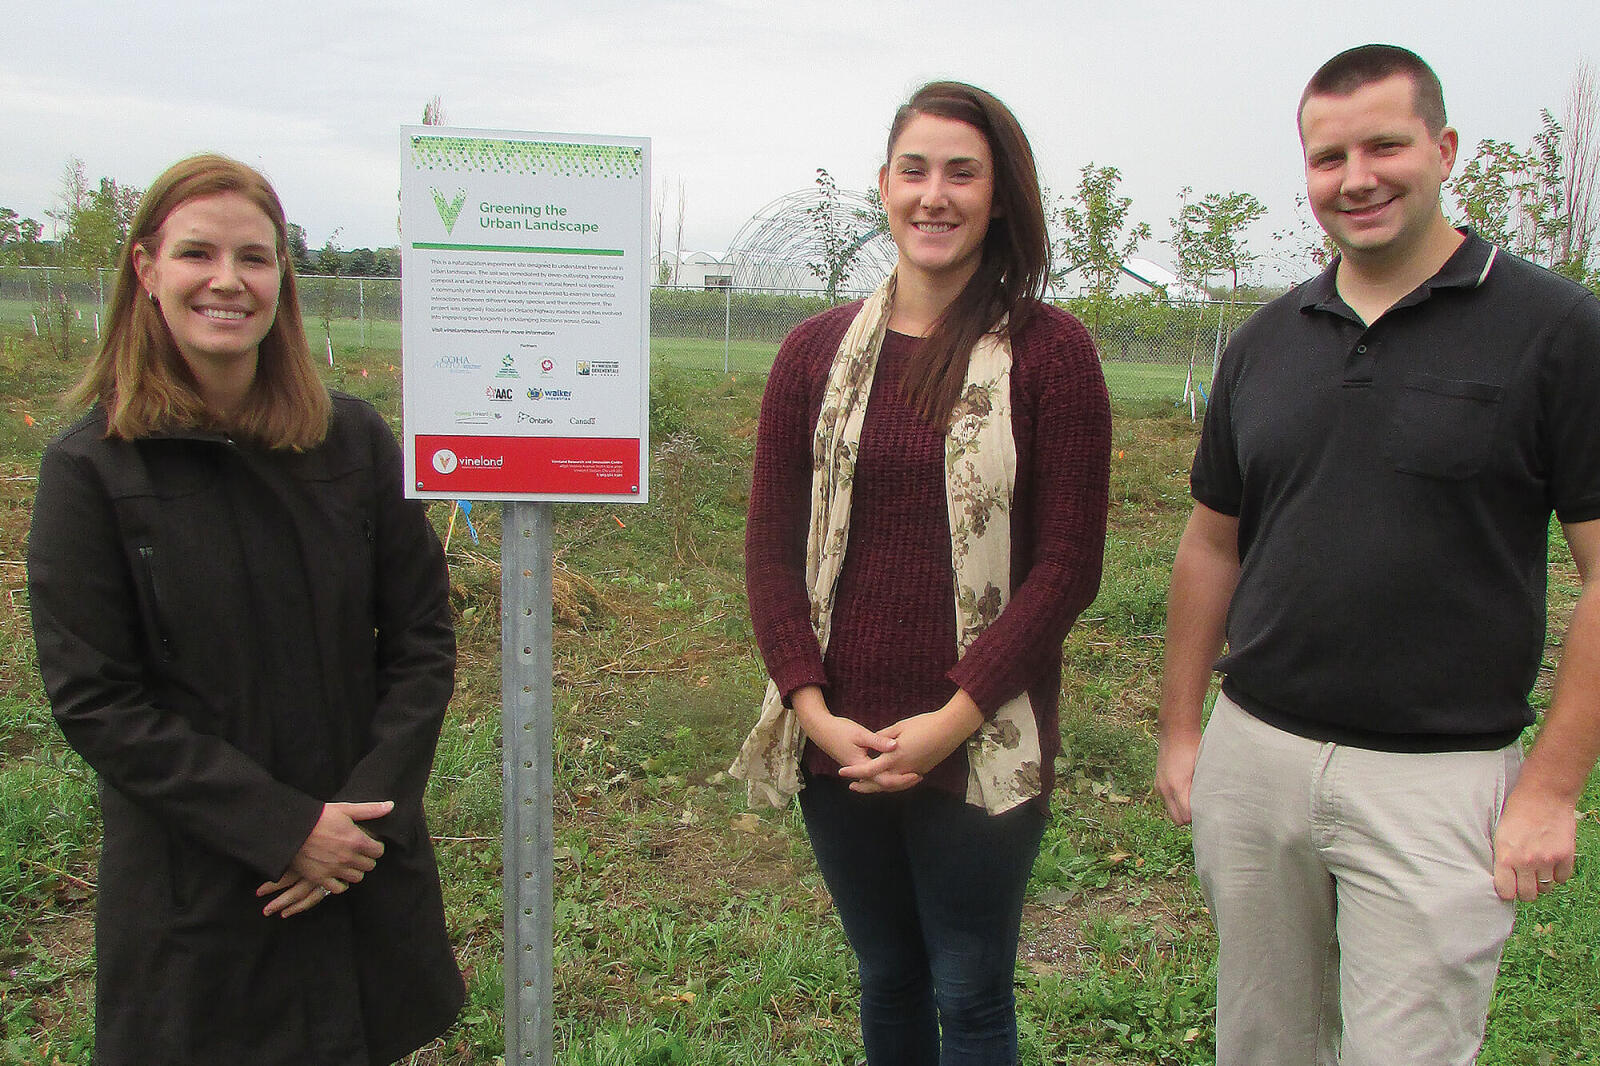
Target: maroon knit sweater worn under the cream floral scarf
892,652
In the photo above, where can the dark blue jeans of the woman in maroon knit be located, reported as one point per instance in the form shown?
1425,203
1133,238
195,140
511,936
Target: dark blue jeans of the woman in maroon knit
930,894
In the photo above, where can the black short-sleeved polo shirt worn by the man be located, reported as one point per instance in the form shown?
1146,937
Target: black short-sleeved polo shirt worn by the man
1394,491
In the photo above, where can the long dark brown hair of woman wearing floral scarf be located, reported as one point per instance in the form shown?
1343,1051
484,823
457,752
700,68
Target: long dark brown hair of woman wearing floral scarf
1015,258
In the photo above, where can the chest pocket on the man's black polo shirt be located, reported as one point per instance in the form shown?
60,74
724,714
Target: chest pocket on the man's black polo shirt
1442,427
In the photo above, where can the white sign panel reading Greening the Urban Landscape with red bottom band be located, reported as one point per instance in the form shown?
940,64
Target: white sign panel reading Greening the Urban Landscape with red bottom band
526,316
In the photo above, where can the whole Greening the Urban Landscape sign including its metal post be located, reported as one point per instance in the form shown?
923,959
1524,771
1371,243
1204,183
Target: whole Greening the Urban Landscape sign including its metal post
526,323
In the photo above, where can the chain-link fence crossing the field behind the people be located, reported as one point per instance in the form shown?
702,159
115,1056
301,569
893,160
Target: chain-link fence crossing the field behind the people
1153,351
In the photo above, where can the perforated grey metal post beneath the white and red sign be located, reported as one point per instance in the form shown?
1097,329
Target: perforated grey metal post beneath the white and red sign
527,753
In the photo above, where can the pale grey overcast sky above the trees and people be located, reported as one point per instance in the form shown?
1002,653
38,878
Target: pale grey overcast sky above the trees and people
743,100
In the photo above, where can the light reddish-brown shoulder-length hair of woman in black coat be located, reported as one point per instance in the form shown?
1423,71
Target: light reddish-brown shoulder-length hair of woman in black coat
138,374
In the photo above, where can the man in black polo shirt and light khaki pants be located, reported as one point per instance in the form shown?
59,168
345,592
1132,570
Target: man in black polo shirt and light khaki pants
1374,491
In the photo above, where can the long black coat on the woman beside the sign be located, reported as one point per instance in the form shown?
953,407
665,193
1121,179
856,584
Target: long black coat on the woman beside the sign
231,638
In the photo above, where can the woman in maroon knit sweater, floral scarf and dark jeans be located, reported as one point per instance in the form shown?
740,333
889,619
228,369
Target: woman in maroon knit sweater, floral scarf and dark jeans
927,521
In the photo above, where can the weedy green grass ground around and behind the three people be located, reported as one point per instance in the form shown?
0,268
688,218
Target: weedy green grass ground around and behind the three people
687,929
